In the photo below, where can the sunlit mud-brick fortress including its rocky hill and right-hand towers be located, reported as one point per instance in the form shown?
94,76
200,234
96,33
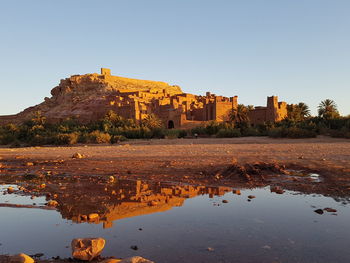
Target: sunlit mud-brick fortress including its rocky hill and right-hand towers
89,97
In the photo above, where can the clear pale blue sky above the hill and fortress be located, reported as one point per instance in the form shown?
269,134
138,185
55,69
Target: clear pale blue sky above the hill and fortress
296,49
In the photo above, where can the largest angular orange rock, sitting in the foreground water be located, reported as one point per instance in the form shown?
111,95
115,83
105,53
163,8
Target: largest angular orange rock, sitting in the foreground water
87,248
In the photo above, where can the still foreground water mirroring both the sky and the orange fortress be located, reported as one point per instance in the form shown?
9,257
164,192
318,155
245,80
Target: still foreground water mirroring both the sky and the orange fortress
180,223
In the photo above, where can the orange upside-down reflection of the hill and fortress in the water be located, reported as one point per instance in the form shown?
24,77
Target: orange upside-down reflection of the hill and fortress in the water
126,198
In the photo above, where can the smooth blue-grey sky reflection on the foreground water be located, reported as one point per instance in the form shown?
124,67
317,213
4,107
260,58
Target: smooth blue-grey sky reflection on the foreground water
270,228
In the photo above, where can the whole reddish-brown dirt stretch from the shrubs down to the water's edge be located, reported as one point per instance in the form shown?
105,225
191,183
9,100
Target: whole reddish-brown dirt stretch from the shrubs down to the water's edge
237,162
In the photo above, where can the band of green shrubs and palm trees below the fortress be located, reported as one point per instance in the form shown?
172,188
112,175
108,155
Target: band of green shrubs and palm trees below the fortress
113,128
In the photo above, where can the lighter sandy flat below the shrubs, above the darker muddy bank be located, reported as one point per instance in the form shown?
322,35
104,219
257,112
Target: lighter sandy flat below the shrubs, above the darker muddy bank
177,158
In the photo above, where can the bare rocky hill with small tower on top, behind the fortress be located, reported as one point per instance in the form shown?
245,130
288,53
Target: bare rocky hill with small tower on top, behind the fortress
88,97
